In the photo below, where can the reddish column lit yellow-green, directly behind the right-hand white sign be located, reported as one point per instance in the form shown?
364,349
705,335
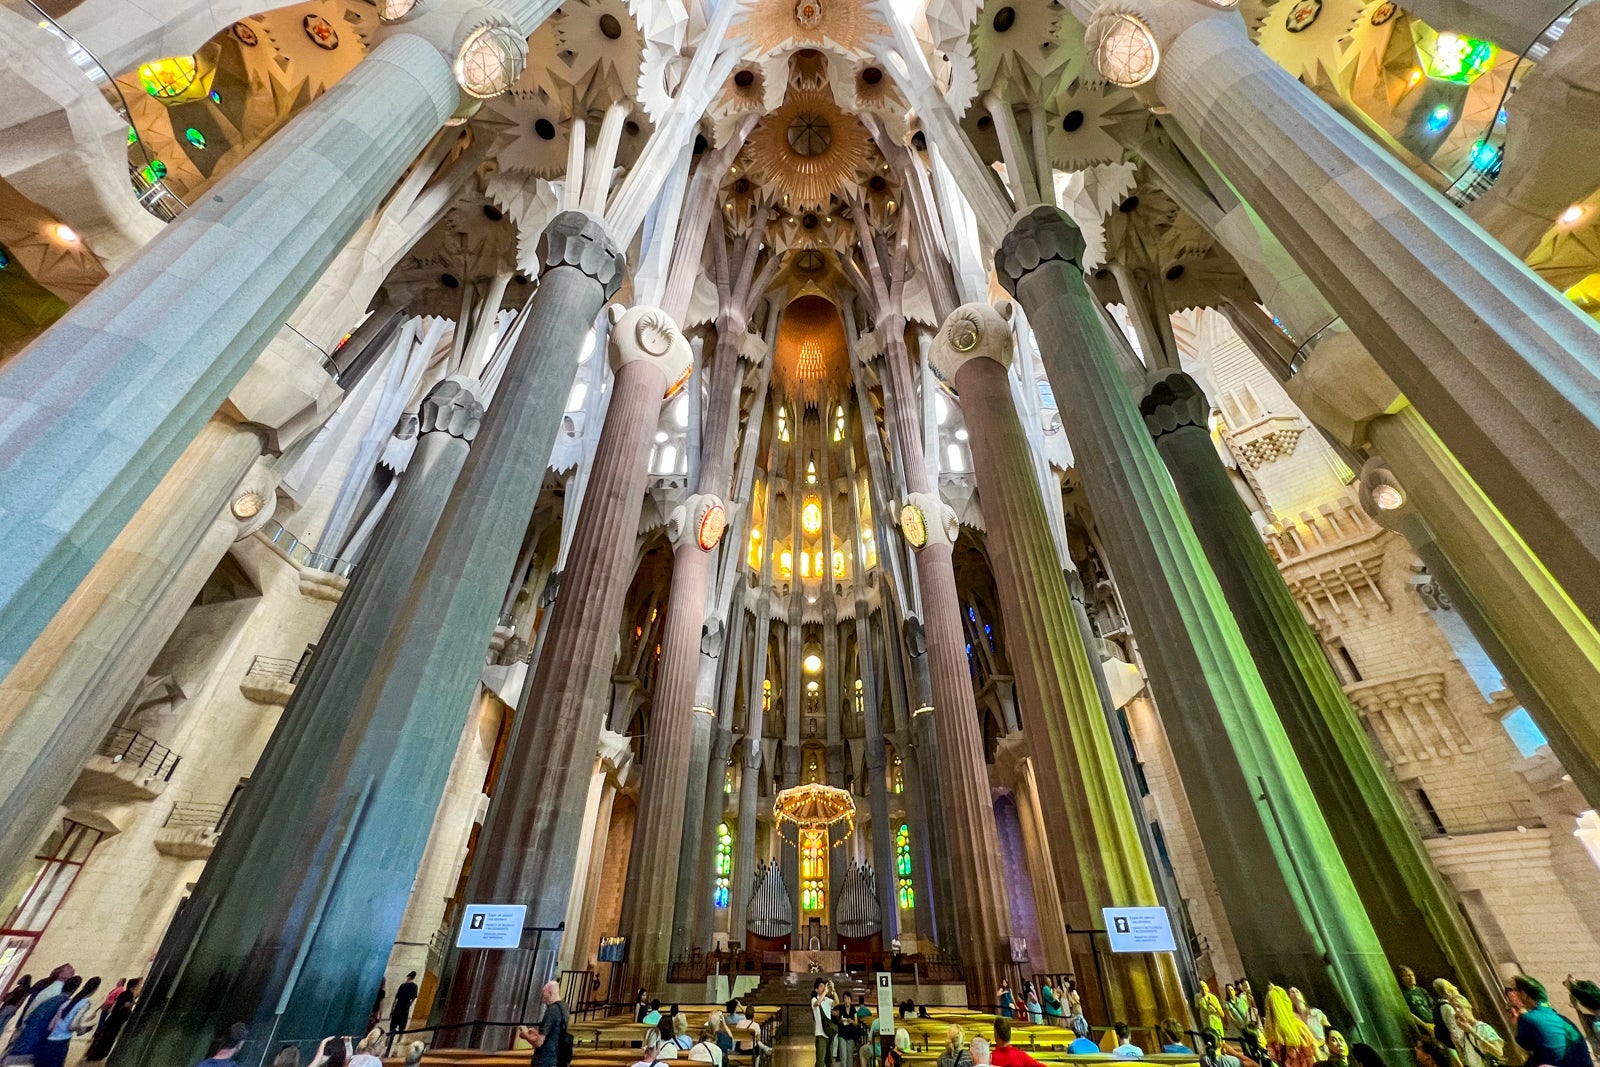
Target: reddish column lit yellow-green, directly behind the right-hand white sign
1102,863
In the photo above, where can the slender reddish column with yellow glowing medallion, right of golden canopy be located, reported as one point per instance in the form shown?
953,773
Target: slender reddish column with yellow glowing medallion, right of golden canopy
969,820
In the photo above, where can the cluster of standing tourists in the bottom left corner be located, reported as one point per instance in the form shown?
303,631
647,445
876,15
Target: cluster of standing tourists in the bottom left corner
57,1009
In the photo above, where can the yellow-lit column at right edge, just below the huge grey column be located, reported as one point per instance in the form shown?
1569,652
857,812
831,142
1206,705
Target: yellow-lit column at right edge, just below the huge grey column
1548,650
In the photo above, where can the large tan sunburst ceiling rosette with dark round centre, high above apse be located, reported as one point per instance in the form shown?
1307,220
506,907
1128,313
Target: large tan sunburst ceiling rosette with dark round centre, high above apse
807,151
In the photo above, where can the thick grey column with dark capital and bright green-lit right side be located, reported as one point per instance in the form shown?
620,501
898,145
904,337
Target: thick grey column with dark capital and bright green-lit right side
1290,900
